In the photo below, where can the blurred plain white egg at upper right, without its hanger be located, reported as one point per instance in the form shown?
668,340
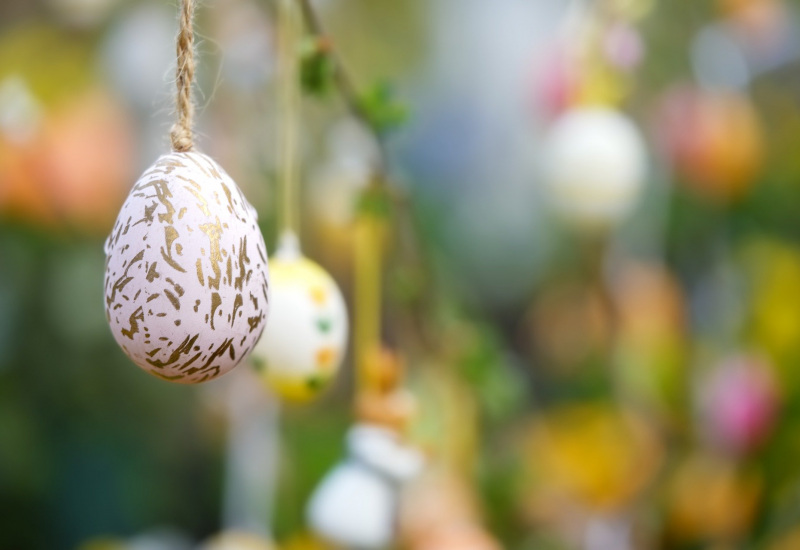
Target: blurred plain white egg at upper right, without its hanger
595,166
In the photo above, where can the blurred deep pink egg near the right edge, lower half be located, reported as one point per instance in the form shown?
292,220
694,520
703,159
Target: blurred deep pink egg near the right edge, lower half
739,404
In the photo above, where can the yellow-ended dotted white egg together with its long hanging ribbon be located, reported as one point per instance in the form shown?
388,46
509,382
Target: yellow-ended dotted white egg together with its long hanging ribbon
307,342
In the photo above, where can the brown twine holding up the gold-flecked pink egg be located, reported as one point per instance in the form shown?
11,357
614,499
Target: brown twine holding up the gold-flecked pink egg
181,134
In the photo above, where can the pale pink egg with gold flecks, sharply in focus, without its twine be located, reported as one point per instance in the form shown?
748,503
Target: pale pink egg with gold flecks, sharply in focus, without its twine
187,281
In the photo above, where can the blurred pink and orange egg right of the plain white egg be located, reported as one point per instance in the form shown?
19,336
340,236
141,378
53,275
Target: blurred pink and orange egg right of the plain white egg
715,141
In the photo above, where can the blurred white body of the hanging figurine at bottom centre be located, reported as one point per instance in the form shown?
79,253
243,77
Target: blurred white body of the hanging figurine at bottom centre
356,504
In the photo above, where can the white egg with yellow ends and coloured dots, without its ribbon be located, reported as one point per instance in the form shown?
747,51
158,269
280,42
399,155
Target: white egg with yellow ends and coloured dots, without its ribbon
303,349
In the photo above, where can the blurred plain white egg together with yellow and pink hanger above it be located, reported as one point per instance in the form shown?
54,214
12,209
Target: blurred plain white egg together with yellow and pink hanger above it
595,157
